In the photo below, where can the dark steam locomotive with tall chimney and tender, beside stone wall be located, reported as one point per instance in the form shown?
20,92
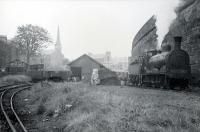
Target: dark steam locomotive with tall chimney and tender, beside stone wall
167,68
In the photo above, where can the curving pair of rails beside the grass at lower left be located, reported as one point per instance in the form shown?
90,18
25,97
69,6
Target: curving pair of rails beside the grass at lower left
8,113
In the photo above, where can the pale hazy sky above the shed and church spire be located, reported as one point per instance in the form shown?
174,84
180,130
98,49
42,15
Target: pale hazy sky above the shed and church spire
94,26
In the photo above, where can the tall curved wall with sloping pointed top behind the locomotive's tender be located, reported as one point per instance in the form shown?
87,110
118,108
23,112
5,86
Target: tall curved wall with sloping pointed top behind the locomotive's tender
145,40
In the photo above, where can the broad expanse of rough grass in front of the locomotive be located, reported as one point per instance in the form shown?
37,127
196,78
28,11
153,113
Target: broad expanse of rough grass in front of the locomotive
71,107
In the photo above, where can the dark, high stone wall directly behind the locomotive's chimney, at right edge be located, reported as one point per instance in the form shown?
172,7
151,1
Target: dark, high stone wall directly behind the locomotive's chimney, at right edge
187,25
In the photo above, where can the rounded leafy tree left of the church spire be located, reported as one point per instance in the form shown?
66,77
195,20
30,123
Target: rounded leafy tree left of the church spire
31,39
